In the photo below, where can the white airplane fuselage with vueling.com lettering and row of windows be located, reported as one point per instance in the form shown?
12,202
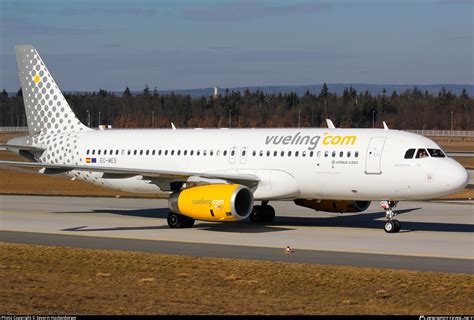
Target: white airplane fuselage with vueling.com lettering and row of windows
356,164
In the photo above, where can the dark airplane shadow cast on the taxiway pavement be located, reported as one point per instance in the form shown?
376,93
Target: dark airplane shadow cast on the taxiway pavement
363,221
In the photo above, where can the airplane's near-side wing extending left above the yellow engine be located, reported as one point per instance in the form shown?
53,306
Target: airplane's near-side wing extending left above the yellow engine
248,180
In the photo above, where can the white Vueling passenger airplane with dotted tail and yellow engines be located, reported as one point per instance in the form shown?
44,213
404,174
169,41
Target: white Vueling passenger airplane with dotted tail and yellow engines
220,174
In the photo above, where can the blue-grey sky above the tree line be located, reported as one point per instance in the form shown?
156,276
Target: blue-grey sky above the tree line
89,45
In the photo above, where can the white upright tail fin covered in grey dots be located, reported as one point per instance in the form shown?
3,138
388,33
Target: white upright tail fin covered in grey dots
46,109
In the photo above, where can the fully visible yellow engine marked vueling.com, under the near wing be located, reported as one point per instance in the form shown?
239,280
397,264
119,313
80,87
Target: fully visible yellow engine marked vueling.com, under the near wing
213,202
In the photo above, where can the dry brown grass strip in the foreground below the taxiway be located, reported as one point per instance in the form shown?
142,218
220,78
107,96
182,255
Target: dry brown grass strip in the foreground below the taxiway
56,280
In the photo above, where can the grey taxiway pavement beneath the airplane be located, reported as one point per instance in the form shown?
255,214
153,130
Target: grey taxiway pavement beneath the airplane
434,236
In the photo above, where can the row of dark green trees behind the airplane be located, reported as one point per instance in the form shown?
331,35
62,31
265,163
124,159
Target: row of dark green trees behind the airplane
412,109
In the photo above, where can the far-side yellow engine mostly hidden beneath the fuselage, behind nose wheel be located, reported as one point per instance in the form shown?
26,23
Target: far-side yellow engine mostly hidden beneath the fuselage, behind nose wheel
334,205
